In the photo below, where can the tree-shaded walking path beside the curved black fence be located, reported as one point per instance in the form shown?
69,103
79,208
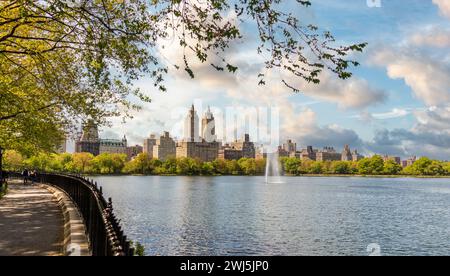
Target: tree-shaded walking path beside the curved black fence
31,222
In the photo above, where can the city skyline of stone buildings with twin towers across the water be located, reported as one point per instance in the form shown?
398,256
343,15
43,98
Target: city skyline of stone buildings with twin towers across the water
199,141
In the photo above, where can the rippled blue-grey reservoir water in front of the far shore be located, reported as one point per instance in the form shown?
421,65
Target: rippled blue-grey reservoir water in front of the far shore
301,216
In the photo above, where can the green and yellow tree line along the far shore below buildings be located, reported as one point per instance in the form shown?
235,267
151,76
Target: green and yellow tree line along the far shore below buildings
86,163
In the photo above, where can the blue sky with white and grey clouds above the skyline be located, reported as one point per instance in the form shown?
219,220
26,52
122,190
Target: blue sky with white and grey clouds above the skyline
397,102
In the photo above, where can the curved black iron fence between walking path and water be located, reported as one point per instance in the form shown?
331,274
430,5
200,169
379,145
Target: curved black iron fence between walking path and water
106,237
